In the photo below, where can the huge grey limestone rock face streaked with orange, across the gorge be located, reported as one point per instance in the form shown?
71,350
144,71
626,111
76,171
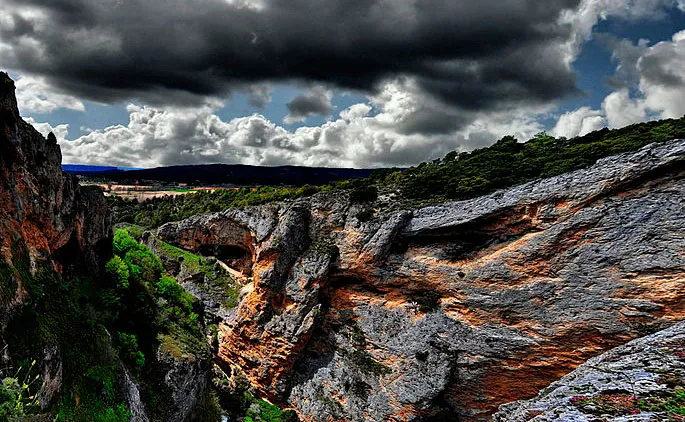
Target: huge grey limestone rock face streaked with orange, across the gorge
447,312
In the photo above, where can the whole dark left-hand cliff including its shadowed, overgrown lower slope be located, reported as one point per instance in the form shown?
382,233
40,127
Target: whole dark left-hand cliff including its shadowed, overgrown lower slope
59,309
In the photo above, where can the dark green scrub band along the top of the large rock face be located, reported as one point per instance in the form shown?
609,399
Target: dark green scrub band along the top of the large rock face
456,176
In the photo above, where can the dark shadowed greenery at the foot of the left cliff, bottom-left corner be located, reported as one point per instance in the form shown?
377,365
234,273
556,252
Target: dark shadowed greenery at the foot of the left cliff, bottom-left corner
62,312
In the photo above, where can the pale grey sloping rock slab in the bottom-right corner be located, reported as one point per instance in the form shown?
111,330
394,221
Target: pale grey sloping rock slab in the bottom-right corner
639,375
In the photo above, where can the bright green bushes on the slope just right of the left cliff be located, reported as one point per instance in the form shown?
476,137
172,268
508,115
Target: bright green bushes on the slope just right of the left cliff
147,306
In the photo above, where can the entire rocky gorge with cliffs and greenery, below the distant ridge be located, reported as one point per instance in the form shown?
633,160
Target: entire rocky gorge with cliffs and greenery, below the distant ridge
499,284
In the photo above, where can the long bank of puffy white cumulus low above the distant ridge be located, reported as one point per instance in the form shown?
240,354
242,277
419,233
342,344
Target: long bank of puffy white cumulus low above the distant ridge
155,136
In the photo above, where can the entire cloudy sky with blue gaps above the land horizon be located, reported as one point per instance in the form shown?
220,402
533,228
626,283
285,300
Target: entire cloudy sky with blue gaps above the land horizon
335,83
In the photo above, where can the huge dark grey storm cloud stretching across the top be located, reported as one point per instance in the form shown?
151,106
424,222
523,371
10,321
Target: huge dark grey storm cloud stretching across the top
476,55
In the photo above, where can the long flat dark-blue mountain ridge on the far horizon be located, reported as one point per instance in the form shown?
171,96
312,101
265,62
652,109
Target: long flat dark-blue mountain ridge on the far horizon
221,174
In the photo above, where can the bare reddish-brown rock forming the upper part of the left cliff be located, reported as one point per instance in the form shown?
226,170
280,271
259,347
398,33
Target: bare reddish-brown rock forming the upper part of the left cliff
42,209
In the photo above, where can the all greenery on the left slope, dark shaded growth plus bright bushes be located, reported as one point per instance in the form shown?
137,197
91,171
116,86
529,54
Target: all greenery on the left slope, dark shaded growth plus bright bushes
136,310
